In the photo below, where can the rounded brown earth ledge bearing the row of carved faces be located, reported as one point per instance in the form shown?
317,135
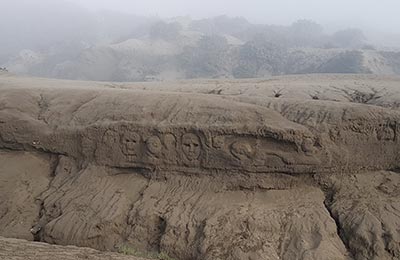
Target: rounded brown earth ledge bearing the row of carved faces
199,138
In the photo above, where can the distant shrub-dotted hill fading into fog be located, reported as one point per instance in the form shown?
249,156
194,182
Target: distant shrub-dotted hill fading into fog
220,47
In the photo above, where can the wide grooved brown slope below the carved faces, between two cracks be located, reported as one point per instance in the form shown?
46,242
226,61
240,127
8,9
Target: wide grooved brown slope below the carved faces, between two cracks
190,217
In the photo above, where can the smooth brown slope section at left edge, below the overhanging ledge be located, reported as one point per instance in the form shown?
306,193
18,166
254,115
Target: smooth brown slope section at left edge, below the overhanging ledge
23,177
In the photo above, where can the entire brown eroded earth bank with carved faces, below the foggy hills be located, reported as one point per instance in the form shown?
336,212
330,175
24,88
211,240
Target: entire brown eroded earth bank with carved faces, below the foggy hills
295,167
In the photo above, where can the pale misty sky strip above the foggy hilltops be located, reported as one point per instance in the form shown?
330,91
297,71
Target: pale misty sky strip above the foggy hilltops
382,15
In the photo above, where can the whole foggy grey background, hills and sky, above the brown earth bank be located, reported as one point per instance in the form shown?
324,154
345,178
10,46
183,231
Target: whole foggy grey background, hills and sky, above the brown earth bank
125,40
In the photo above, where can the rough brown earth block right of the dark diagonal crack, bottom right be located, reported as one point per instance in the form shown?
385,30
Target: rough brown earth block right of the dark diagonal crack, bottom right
367,208
